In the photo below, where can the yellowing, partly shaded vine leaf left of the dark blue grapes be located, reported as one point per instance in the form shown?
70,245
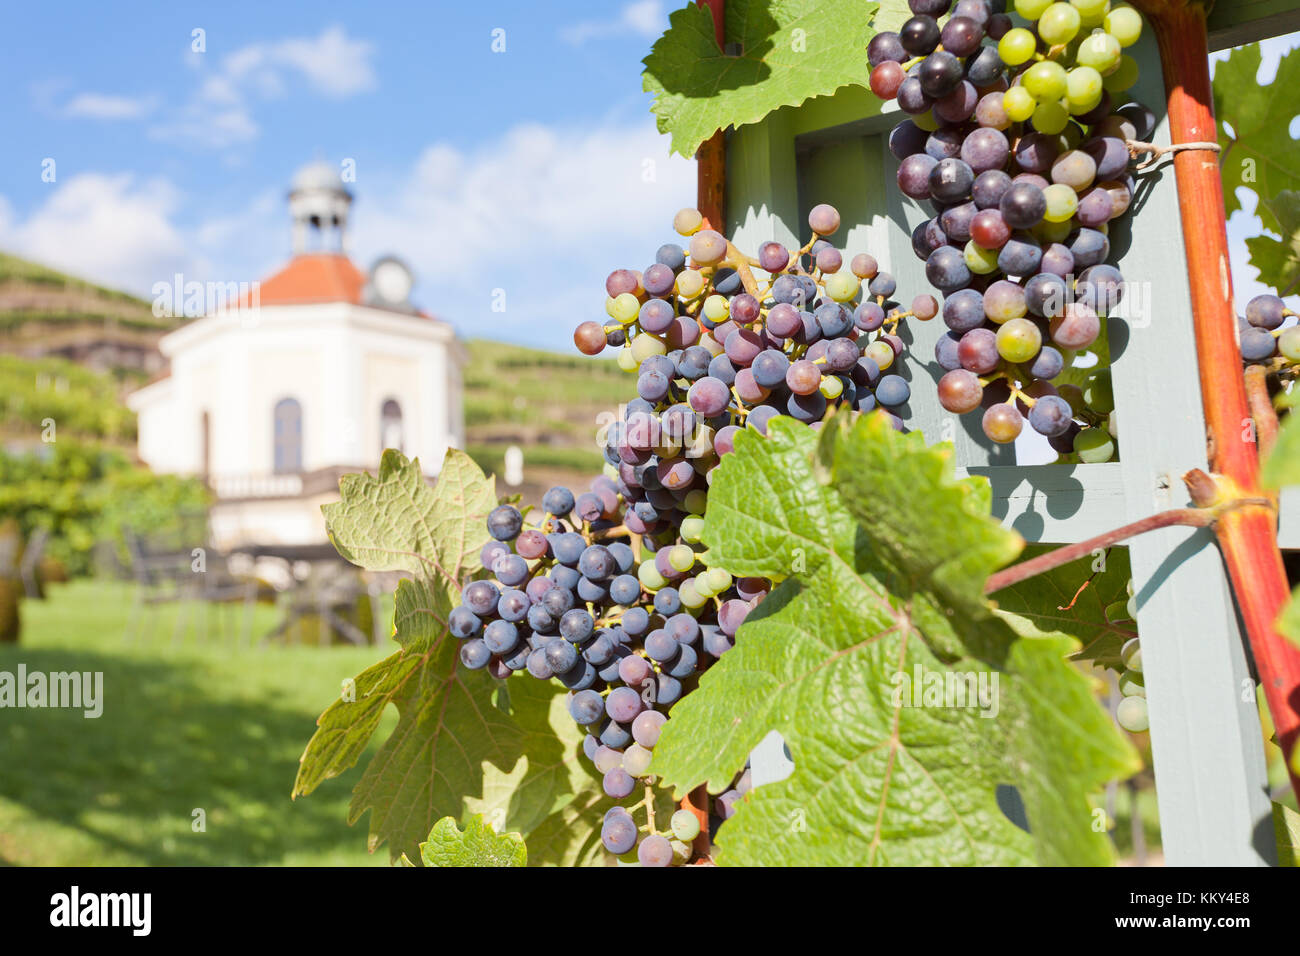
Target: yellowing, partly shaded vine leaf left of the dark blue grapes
456,750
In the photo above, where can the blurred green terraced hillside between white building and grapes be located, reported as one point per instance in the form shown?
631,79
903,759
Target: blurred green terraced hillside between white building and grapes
548,404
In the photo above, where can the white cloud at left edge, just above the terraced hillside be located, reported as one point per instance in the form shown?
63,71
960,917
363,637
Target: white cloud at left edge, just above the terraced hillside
110,230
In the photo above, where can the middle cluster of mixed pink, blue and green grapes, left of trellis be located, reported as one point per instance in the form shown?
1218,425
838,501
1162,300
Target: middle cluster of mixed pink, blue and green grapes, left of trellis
716,351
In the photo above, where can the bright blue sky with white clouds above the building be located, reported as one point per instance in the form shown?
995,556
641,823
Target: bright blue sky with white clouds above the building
536,170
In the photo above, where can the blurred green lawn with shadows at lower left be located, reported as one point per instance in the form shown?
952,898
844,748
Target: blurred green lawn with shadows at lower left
185,726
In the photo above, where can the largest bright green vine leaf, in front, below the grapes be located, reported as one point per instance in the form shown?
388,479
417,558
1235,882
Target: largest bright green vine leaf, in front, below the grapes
885,559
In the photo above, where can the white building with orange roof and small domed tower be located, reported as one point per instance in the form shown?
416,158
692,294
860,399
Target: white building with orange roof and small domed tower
319,371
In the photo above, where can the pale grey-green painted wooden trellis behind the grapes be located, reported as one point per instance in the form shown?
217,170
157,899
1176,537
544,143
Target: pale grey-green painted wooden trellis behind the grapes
1207,742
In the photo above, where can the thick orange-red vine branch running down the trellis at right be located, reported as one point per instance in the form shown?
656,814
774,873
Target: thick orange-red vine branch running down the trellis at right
1247,537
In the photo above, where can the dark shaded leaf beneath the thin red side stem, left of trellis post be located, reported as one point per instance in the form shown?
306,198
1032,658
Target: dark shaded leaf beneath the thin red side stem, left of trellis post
1046,600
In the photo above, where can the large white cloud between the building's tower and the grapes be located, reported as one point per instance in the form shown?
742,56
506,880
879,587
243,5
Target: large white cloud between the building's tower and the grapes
544,214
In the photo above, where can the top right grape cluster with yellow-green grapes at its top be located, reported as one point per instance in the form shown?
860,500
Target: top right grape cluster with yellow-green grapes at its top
1019,139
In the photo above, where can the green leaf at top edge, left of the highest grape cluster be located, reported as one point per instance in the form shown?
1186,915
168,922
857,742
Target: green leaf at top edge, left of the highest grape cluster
791,51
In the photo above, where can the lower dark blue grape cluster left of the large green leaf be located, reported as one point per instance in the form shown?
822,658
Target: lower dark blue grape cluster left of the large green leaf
625,620
